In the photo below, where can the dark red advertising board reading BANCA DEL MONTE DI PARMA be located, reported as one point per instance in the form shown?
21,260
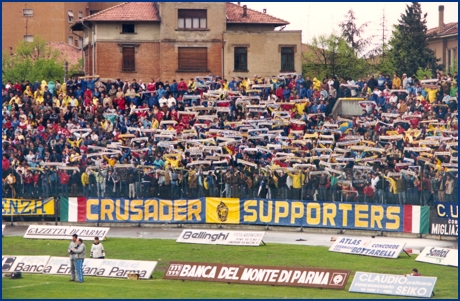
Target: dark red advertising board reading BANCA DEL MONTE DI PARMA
266,275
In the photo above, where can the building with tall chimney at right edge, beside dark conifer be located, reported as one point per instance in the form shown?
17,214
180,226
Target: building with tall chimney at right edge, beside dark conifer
444,41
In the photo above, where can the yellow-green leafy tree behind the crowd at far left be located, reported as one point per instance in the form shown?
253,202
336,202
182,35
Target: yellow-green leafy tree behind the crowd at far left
35,61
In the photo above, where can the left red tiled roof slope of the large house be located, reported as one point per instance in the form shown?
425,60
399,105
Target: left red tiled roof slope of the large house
127,11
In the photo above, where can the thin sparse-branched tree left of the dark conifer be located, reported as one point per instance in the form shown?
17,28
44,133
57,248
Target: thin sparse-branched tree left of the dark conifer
353,34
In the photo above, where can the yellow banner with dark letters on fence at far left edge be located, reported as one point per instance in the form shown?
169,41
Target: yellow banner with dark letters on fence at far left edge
27,207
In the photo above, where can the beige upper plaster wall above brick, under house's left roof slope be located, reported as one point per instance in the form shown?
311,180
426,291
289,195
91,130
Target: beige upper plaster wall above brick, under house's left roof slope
111,31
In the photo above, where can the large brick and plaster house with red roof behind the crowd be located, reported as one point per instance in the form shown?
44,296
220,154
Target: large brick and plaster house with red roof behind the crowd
173,40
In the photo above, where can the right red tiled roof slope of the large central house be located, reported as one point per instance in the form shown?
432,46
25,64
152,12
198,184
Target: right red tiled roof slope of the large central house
235,15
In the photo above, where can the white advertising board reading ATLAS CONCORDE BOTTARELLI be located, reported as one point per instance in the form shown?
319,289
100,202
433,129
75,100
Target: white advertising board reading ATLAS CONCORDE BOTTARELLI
375,248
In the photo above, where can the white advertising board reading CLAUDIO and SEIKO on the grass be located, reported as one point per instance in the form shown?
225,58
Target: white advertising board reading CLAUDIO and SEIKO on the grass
396,285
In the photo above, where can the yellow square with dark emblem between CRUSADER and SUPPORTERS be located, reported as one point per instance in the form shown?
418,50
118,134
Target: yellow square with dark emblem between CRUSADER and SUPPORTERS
223,211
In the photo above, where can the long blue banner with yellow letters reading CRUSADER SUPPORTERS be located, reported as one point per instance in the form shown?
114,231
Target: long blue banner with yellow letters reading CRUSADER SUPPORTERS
379,217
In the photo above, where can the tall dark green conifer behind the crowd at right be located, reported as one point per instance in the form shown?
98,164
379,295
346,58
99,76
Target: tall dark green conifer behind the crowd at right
409,43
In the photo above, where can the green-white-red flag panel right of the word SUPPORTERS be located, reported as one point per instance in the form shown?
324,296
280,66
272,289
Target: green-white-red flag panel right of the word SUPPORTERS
416,219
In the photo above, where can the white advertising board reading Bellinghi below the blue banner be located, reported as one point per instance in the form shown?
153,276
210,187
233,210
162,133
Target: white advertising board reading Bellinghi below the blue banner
214,237
